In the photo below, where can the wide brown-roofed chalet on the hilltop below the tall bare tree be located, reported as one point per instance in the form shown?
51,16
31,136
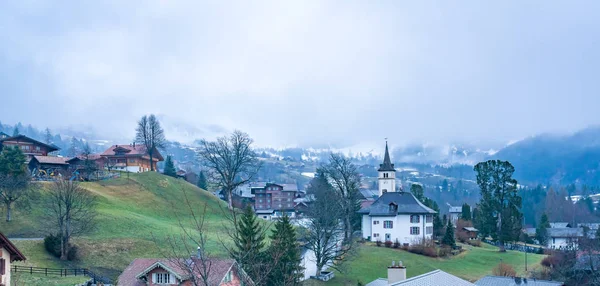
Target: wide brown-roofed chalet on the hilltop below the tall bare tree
130,158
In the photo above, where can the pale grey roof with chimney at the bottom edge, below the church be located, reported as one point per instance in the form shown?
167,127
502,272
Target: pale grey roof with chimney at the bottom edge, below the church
397,277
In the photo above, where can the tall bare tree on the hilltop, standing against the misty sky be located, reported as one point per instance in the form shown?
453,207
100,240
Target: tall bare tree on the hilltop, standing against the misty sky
151,135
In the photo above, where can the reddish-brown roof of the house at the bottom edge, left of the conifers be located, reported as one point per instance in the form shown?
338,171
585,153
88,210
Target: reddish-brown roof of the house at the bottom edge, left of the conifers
141,266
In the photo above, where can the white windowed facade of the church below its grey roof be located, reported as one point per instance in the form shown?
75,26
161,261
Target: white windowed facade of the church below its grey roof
401,228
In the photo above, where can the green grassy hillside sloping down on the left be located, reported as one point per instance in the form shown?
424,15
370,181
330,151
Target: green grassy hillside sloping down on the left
135,215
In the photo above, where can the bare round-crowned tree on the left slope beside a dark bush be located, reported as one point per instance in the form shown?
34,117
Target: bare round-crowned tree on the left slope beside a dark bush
71,212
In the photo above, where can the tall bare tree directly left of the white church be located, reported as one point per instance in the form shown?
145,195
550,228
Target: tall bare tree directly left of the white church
344,179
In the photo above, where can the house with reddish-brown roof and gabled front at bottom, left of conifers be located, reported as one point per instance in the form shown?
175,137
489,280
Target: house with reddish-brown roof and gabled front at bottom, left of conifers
177,271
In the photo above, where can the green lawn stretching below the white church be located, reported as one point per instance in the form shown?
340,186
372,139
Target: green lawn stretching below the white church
371,262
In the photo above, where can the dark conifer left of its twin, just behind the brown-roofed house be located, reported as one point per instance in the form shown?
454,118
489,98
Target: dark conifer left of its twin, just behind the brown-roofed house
249,242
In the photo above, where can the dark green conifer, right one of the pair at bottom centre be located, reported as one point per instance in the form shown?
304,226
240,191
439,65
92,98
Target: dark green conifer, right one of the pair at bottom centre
284,252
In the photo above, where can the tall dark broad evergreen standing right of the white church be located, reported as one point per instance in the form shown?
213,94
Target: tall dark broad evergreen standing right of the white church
500,202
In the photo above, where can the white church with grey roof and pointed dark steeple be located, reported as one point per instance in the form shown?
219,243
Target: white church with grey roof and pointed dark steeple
395,215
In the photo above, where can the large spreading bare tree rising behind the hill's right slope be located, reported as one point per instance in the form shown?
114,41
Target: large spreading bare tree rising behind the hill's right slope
231,160
